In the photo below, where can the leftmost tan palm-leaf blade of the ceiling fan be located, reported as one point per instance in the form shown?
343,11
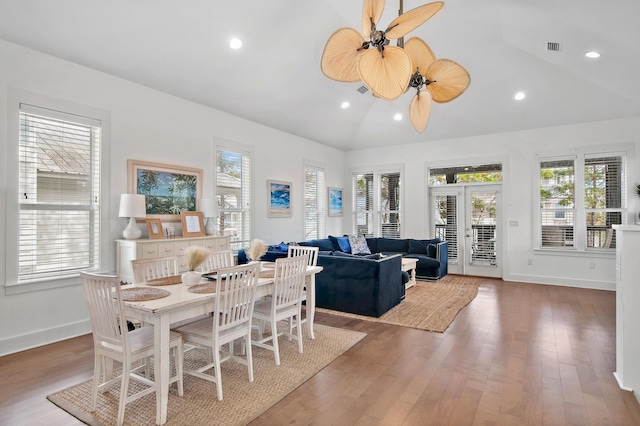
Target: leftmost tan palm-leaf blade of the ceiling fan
340,55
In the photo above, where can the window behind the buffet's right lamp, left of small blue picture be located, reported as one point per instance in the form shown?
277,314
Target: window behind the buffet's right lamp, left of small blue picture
233,191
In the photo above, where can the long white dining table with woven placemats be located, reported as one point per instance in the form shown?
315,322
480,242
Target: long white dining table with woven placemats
182,305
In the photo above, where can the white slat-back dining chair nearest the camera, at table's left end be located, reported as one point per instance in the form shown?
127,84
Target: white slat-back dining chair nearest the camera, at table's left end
112,342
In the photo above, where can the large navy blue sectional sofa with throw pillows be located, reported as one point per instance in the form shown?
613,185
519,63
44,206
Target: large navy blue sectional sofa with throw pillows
364,284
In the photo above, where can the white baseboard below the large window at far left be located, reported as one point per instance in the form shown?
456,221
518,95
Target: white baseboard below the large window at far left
44,337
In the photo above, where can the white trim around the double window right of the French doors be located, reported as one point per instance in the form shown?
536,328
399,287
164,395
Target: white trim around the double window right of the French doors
579,154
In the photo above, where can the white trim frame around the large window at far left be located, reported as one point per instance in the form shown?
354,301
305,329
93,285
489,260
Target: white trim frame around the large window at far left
14,98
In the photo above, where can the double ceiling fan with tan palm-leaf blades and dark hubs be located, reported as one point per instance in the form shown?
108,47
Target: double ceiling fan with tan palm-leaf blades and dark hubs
390,71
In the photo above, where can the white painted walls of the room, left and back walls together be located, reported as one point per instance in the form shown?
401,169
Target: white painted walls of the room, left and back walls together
152,126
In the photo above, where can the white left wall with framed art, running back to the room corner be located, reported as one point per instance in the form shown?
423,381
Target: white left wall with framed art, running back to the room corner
151,126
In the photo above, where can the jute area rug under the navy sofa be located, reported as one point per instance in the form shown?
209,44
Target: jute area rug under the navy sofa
430,306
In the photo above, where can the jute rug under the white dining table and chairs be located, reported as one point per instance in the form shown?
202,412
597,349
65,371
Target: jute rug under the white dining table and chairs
243,401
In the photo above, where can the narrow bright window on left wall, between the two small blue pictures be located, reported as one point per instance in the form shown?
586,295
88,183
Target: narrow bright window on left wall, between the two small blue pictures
314,202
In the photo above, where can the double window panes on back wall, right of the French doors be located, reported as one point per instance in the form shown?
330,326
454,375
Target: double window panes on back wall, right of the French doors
580,199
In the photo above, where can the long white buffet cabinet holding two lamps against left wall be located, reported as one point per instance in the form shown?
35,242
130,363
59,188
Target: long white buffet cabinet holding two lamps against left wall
147,248
